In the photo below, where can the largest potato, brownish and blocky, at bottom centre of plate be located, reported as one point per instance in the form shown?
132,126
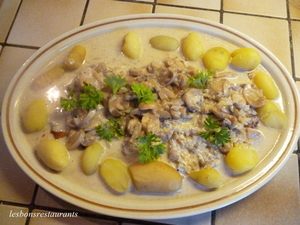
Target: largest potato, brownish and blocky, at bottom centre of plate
156,177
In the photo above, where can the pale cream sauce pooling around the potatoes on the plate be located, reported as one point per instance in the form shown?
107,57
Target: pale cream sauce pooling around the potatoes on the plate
106,48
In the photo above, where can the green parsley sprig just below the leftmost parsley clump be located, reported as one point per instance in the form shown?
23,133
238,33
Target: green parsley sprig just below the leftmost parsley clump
112,128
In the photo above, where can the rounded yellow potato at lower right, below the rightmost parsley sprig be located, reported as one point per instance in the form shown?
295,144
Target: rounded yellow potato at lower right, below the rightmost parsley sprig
241,158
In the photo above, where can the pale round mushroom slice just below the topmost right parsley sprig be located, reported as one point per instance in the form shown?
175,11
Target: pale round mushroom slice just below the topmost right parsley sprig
193,98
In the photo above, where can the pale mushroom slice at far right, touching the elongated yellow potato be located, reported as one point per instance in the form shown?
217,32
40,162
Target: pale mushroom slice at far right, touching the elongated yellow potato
254,96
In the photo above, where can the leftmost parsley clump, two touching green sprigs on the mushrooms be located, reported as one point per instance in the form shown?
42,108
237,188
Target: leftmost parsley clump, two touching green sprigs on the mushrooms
90,98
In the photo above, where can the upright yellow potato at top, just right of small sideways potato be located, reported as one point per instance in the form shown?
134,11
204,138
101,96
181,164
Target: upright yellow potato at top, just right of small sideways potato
192,47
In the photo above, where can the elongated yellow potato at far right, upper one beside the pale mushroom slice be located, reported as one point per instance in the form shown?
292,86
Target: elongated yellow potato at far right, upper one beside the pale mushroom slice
265,82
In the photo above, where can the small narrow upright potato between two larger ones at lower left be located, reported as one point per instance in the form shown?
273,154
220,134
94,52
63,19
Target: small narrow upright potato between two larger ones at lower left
90,158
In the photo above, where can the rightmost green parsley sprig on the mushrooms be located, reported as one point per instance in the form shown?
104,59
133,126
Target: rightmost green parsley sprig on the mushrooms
216,134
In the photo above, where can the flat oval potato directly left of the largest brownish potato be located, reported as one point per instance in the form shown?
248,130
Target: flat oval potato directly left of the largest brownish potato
115,174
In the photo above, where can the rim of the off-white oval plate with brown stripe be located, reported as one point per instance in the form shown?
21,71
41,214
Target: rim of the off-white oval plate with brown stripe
149,206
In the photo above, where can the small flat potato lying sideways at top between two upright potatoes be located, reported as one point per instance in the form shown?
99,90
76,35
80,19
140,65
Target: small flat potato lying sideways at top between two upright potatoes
165,43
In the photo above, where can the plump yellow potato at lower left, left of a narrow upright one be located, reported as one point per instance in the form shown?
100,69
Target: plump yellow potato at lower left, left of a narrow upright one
53,154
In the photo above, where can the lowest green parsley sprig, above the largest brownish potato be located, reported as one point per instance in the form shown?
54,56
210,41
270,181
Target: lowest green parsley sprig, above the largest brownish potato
150,147
